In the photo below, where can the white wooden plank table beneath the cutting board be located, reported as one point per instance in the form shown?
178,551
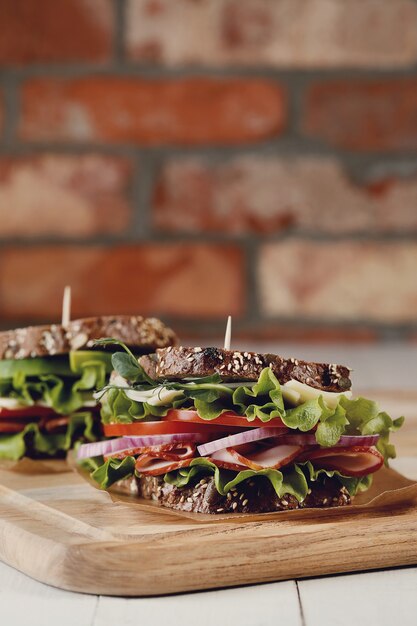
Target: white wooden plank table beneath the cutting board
383,598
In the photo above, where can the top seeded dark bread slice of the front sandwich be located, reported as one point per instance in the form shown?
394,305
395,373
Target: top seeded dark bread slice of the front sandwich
176,363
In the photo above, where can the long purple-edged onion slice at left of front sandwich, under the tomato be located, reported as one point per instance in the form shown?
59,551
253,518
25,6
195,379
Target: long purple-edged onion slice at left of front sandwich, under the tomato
111,446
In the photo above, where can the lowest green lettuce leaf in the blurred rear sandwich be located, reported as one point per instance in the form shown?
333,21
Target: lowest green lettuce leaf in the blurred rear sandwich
33,442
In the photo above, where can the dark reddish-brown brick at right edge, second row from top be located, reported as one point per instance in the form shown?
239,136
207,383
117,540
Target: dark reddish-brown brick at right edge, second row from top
362,115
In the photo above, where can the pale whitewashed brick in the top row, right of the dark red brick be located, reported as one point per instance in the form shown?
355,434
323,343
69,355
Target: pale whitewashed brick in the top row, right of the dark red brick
288,33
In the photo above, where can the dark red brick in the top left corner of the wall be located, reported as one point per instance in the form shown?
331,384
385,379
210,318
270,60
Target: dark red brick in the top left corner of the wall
35,31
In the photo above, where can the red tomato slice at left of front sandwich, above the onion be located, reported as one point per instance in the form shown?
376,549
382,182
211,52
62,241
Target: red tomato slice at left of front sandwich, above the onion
165,428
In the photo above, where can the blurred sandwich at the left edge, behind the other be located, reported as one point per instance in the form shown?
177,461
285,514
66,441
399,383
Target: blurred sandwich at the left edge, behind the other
48,375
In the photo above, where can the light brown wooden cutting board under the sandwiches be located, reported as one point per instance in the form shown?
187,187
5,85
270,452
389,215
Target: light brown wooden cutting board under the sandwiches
59,530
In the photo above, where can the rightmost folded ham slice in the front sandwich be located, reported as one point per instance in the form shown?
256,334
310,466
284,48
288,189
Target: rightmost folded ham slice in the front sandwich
355,461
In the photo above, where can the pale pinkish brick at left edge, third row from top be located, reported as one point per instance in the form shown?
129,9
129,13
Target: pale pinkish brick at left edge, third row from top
63,195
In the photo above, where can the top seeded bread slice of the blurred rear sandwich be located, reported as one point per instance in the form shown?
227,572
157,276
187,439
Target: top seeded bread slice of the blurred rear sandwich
140,333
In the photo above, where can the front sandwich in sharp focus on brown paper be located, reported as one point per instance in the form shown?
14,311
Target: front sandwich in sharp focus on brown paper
216,431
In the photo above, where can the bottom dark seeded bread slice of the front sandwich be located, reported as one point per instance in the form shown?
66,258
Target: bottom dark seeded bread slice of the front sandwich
250,496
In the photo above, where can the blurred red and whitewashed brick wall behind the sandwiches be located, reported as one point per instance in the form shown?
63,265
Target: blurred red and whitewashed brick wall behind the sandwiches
195,158
